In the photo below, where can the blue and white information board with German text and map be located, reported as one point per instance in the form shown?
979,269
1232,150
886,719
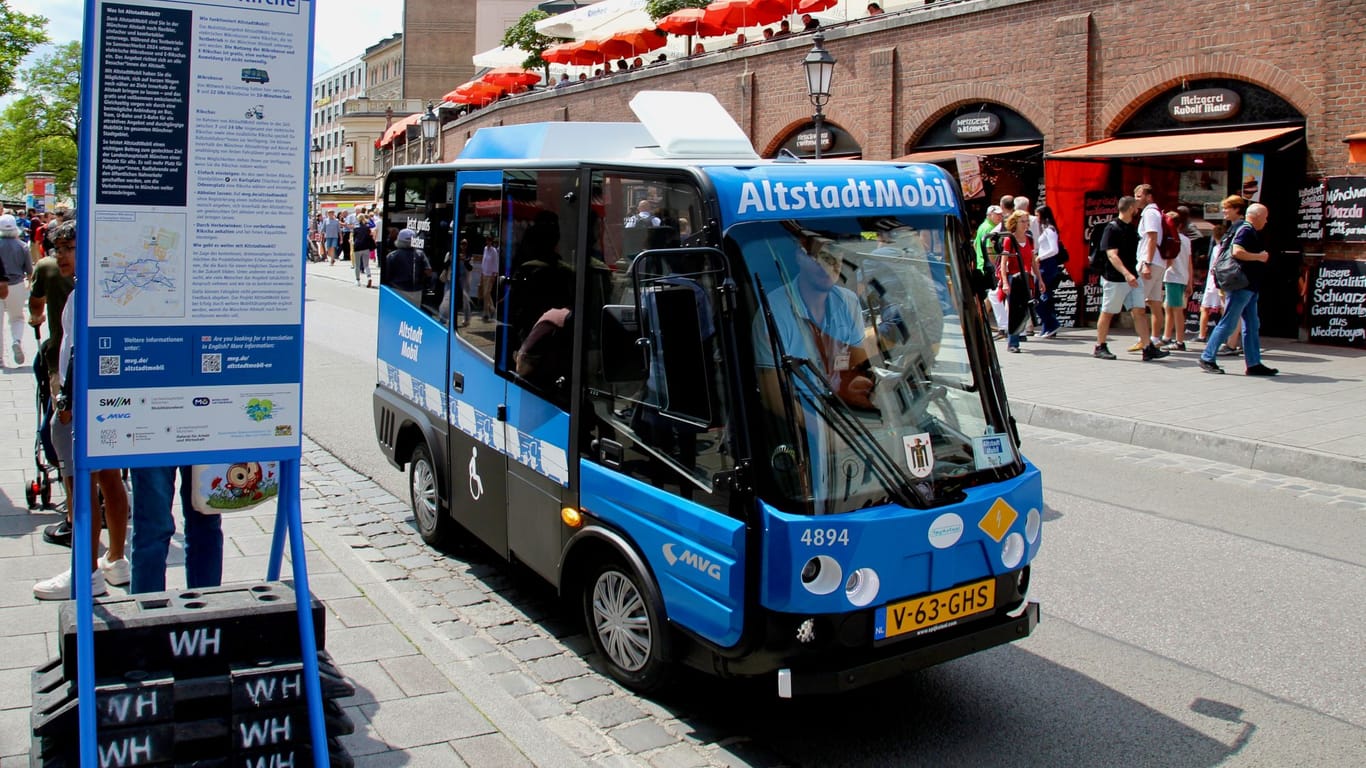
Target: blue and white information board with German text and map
192,346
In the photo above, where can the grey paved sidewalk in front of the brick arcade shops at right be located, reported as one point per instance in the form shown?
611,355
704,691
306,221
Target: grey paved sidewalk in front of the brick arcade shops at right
1305,423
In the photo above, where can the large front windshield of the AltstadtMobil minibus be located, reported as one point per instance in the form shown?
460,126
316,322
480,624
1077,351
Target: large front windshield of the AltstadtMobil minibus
861,348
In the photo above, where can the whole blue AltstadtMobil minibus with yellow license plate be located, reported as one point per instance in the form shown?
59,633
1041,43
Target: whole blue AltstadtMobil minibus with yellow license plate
745,415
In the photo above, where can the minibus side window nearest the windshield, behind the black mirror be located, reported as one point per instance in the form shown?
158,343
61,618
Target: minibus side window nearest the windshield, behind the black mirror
630,401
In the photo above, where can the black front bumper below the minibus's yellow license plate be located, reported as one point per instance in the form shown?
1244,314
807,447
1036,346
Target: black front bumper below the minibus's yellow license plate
811,683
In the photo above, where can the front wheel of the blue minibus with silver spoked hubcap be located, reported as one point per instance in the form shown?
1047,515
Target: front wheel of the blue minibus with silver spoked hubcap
625,628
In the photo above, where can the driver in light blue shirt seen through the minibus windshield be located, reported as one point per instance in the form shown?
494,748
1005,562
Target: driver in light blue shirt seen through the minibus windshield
822,322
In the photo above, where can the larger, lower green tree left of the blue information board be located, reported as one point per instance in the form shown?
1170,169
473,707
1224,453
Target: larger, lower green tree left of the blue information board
42,125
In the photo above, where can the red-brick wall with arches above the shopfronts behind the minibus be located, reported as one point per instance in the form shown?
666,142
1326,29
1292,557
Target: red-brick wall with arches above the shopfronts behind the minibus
1078,70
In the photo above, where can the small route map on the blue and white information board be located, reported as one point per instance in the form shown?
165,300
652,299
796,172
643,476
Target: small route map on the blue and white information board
140,267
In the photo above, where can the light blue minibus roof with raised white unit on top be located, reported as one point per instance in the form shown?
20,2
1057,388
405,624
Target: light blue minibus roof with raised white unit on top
673,126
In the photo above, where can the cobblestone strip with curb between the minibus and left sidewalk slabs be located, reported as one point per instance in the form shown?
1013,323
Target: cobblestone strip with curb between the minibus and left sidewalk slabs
503,628
